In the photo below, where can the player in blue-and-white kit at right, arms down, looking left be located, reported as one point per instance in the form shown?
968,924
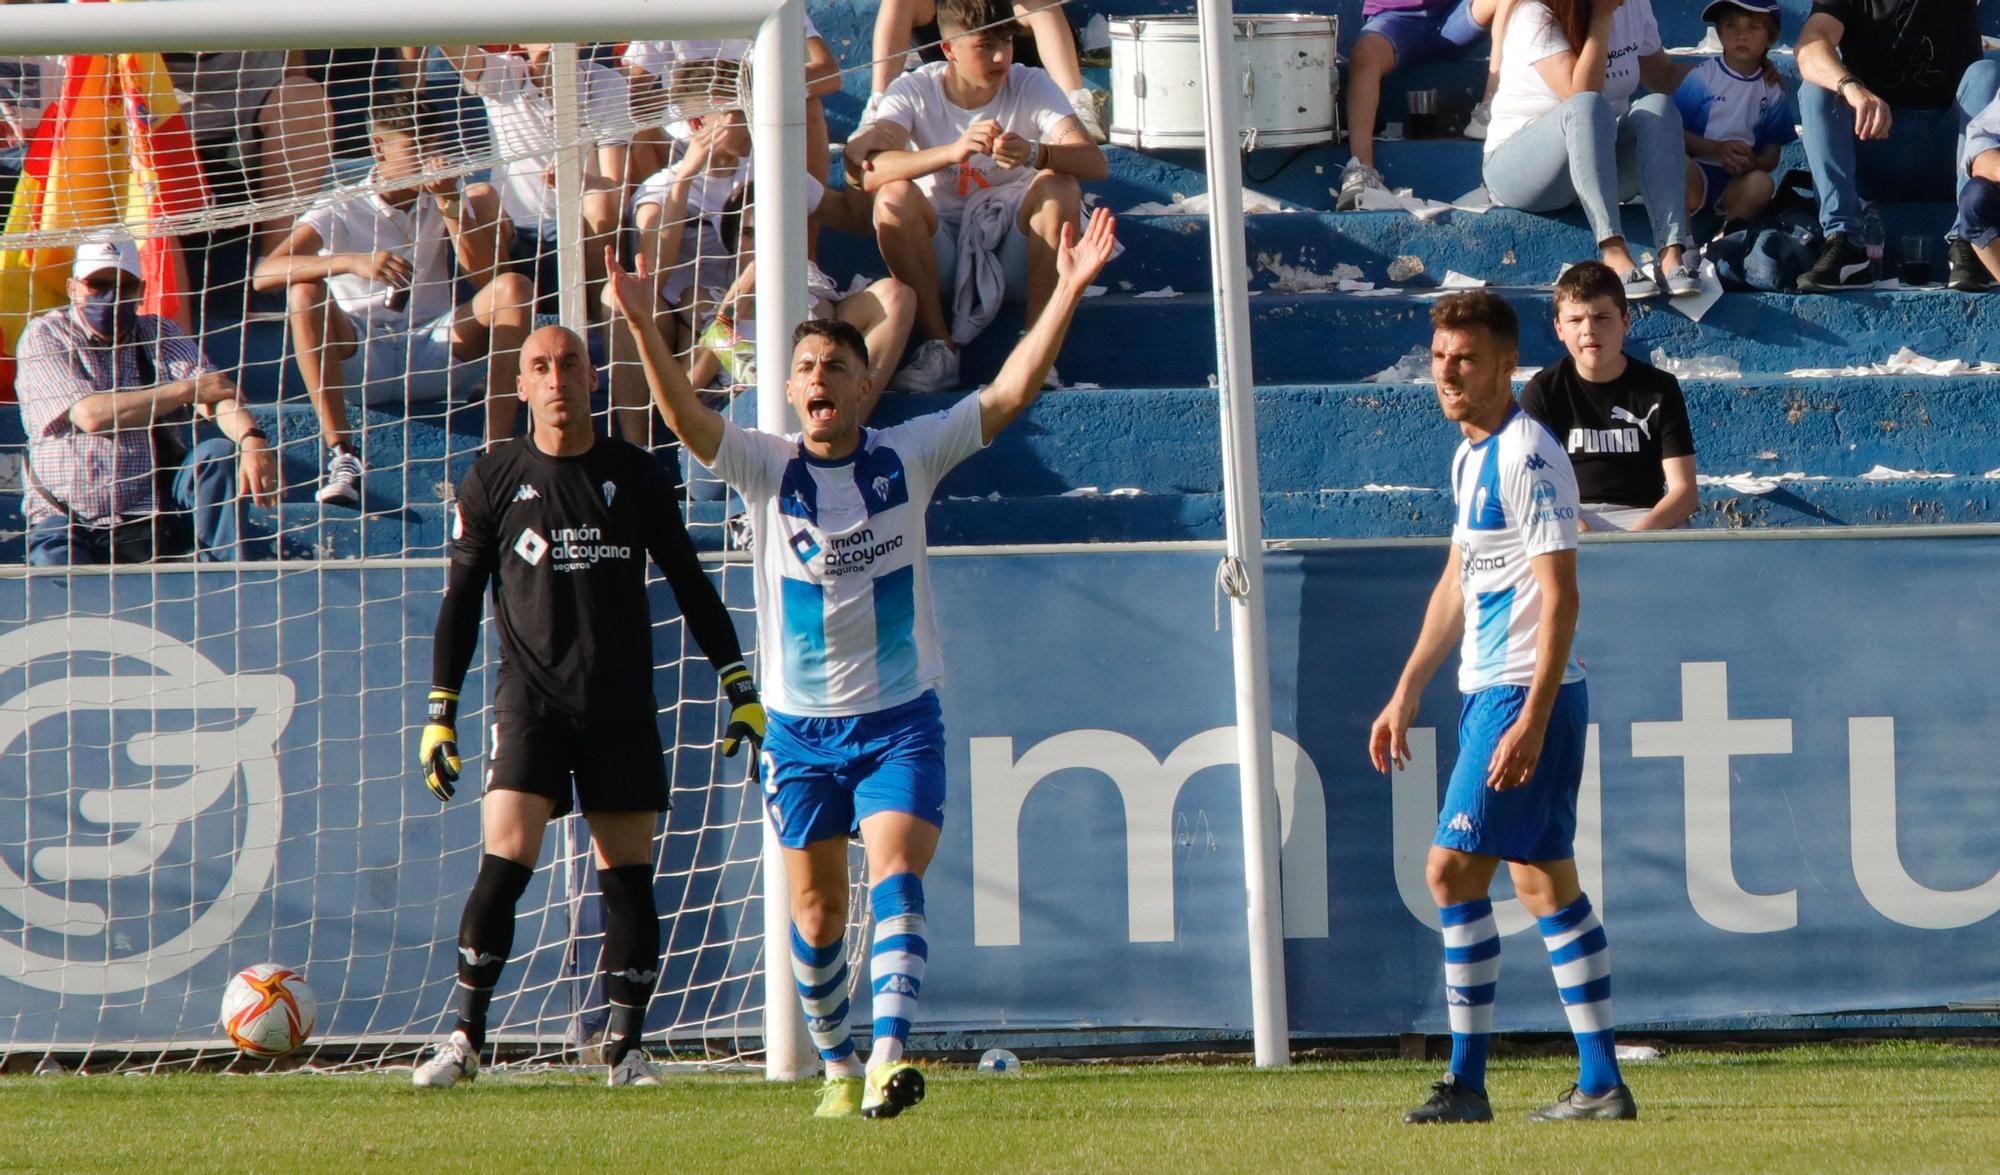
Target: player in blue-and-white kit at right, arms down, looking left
1509,590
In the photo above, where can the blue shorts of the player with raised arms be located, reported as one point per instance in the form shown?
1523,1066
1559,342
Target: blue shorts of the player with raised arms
823,776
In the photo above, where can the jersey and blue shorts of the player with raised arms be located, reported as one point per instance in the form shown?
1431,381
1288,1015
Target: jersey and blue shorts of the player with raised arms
843,598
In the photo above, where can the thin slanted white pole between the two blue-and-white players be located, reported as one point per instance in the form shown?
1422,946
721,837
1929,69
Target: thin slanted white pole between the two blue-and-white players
1243,567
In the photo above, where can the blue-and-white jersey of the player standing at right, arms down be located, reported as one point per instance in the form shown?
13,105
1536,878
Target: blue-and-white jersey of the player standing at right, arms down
1515,499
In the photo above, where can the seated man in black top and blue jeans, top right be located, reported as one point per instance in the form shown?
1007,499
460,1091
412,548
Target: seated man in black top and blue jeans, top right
1887,89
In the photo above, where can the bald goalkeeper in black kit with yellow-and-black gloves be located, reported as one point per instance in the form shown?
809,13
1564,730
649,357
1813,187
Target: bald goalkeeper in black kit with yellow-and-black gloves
561,523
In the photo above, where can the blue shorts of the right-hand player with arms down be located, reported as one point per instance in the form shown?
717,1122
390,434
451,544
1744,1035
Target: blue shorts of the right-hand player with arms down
1535,822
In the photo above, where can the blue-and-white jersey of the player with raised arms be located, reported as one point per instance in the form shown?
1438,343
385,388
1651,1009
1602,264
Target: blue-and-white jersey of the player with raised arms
843,583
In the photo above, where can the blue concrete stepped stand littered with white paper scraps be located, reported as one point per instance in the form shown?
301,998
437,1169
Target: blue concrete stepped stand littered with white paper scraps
1343,457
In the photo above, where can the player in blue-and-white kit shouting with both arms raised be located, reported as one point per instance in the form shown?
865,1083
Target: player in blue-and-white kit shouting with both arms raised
853,654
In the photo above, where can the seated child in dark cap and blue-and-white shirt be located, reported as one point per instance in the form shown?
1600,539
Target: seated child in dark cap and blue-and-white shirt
1737,115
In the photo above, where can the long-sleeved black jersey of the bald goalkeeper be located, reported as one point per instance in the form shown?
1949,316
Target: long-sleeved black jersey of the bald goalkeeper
565,543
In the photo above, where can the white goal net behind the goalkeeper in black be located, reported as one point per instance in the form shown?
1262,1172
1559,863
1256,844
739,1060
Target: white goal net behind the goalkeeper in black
211,764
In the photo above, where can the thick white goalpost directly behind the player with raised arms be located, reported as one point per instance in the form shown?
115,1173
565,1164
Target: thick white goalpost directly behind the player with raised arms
779,151
